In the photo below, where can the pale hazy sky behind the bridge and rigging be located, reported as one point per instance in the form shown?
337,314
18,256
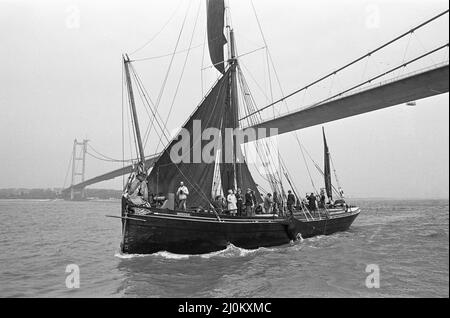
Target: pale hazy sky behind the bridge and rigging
61,78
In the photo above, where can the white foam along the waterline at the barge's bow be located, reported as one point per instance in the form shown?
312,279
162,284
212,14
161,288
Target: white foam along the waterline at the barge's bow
230,252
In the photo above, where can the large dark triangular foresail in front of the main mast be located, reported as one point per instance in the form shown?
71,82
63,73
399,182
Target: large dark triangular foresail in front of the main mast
196,174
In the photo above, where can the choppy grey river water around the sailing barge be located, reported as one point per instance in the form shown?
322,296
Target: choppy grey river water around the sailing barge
407,240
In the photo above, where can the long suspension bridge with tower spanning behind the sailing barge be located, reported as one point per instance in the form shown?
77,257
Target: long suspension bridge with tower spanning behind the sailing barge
378,92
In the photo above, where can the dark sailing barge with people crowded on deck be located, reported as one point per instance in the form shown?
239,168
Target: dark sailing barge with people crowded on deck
147,228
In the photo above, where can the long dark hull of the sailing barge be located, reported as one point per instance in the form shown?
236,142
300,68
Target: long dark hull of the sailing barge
185,233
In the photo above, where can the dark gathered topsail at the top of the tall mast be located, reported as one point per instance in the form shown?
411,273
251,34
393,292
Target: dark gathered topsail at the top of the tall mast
216,38
